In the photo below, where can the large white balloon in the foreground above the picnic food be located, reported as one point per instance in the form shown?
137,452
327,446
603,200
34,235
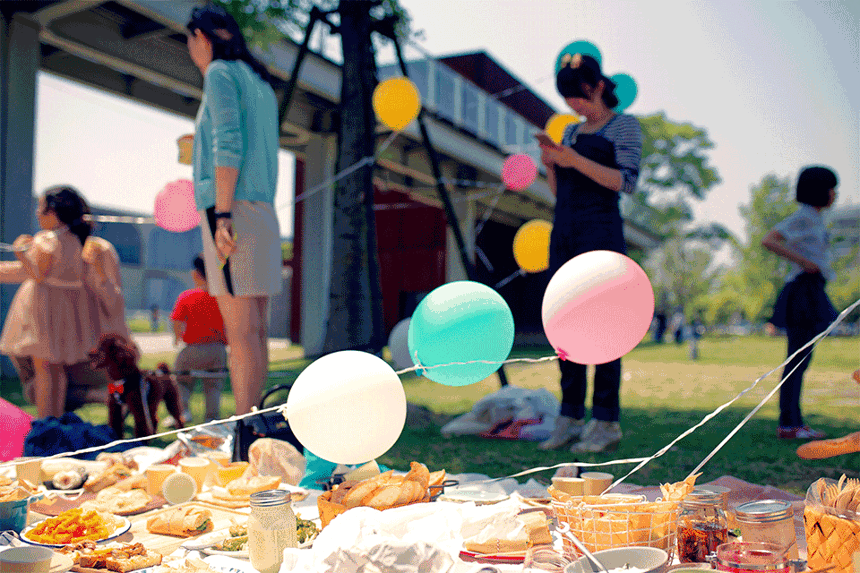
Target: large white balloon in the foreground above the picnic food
347,407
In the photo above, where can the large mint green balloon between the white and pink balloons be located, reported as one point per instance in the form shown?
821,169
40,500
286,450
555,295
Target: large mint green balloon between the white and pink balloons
462,321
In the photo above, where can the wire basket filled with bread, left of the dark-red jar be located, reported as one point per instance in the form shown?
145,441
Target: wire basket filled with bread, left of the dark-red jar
618,520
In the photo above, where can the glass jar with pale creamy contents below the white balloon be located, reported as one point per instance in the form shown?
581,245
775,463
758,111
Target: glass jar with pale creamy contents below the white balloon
271,529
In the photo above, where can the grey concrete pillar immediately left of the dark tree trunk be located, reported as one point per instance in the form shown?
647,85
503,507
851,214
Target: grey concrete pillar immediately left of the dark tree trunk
321,153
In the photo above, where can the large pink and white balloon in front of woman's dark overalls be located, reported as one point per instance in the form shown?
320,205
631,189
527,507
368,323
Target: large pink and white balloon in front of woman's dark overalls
597,307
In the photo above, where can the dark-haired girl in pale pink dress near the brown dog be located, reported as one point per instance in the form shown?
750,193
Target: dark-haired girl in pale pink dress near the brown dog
51,319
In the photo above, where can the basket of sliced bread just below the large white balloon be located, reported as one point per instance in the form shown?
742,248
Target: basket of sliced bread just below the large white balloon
382,491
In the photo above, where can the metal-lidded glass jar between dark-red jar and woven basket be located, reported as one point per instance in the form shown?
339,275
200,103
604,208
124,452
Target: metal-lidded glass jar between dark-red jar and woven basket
768,521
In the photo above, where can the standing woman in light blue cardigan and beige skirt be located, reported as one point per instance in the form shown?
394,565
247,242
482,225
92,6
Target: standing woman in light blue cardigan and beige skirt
235,177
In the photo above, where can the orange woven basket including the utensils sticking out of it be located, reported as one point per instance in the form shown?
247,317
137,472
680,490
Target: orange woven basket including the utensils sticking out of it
831,518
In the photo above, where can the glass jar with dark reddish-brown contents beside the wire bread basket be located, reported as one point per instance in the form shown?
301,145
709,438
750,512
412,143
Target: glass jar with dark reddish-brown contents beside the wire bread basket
702,526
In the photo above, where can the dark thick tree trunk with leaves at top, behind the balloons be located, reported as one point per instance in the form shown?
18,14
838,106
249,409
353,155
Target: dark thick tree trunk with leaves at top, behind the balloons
355,318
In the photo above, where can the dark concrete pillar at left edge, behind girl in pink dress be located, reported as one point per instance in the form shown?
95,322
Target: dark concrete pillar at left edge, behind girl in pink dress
19,64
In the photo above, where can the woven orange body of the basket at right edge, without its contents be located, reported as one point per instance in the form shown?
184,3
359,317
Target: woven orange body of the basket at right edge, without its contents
830,539
